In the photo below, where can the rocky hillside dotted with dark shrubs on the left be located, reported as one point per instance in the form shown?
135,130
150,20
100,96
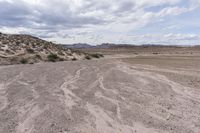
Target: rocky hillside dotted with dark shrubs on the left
22,49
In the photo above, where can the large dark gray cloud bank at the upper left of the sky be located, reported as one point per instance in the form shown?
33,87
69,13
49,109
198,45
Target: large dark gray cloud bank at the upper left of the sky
19,13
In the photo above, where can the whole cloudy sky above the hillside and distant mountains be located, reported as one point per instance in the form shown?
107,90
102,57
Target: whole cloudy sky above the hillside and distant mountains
99,21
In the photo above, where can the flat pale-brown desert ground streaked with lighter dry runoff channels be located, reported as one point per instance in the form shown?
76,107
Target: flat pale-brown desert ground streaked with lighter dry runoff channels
117,94
